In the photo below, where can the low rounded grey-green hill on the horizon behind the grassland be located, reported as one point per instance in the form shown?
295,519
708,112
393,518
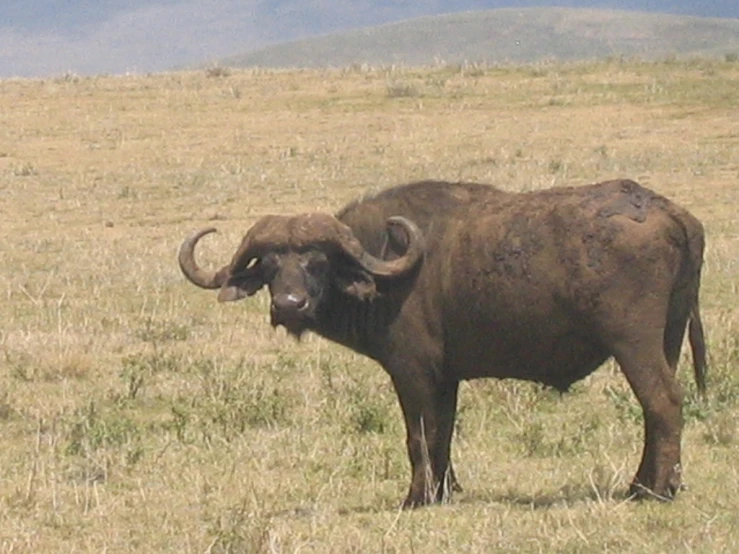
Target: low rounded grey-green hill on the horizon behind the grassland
515,35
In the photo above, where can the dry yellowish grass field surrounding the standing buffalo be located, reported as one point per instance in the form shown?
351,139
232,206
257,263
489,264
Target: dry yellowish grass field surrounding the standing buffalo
138,415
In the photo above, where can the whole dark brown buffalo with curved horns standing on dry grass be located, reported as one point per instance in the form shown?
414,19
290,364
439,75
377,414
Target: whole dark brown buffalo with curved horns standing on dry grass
440,282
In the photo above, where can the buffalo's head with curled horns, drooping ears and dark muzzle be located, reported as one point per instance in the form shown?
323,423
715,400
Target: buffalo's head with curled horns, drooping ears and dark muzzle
302,260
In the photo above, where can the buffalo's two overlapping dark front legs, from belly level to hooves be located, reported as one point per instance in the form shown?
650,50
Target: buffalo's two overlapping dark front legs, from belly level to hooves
429,411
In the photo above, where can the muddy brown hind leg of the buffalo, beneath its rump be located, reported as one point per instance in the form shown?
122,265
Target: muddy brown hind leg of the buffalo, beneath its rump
660,395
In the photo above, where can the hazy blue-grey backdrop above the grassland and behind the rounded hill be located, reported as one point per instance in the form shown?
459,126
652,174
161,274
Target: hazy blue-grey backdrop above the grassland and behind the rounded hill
52,37
